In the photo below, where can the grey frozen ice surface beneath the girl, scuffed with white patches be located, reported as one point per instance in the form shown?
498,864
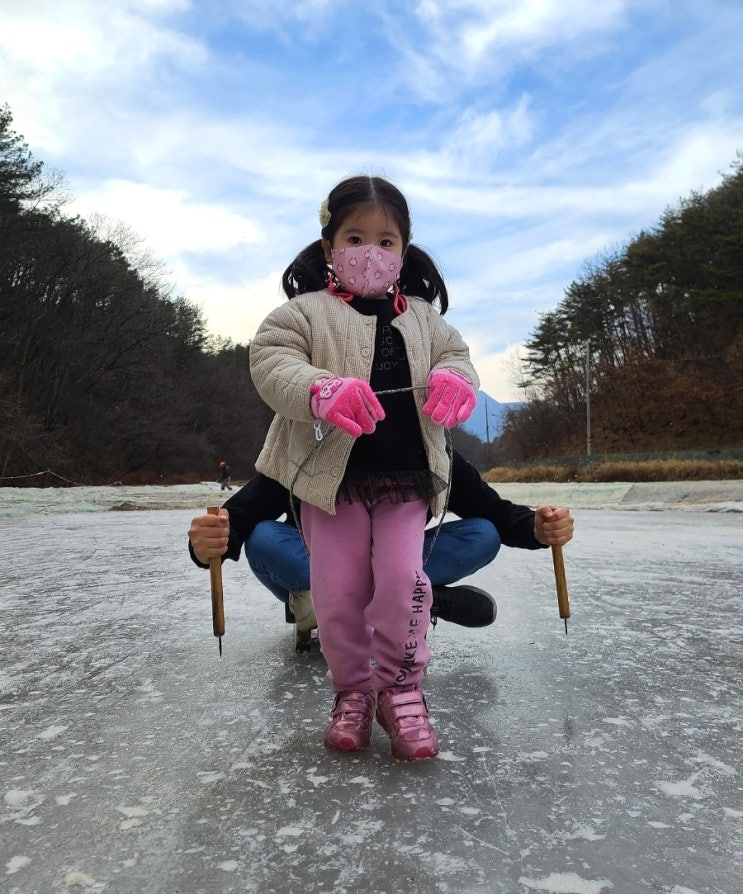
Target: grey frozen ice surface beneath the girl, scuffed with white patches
134,759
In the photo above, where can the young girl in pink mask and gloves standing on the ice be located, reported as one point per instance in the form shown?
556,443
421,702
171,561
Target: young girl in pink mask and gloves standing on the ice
367,467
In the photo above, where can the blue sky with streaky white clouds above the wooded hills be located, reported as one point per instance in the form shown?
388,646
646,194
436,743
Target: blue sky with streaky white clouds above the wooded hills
530,138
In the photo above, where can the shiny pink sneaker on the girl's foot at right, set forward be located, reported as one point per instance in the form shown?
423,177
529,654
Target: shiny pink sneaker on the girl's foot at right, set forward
403,713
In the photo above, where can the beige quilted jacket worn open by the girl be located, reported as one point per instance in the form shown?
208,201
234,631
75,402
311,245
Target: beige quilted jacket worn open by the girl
317,335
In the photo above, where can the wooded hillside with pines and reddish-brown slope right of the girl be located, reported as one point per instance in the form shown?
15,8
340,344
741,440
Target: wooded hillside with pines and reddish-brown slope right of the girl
650,336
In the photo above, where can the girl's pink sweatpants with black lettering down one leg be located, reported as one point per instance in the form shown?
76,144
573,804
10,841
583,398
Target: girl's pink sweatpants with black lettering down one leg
371,597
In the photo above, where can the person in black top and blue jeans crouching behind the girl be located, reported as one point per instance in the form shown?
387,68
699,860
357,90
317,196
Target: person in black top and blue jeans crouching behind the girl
249,520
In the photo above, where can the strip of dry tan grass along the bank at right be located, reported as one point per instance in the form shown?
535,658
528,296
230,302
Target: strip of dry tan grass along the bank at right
653,470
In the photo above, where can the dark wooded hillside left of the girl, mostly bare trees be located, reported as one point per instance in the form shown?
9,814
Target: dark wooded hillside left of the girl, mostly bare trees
104,374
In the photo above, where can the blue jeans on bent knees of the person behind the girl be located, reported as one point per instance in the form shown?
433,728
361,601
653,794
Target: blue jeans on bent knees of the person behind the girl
278,559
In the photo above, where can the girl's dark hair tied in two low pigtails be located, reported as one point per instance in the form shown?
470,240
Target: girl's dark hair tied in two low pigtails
419,277
